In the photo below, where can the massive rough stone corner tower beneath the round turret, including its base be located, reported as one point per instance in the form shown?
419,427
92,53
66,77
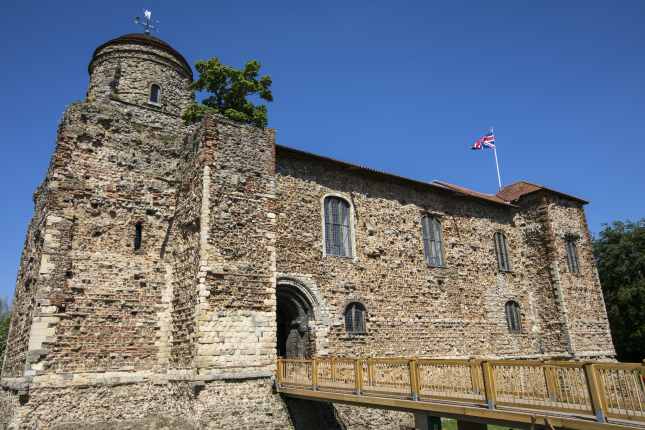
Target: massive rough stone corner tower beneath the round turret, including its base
180,331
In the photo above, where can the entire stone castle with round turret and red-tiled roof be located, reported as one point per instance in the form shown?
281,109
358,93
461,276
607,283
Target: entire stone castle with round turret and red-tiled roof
167,266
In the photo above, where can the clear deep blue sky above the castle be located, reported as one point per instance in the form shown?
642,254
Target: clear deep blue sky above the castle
401,86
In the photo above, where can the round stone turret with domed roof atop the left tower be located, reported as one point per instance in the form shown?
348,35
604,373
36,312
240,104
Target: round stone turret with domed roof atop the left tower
141,70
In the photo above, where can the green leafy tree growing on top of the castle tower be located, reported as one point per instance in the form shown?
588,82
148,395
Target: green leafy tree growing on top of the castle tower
228,92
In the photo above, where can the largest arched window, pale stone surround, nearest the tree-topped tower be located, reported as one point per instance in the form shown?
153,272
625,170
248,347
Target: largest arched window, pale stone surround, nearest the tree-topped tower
338,240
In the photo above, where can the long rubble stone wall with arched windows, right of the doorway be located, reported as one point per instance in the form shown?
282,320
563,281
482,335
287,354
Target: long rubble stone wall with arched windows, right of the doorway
414,309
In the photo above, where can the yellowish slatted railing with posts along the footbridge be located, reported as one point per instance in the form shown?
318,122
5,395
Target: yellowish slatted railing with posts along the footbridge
614,390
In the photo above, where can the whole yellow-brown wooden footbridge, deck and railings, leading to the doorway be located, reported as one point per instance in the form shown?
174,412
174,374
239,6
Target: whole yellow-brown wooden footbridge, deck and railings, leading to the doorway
550,394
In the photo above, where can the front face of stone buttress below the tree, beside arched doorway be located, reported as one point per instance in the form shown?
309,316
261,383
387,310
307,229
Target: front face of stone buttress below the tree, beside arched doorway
236,312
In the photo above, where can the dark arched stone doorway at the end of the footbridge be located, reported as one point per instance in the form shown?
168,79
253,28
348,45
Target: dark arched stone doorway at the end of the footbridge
294,311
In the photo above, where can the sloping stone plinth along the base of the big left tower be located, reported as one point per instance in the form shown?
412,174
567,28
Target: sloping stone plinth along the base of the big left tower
218,405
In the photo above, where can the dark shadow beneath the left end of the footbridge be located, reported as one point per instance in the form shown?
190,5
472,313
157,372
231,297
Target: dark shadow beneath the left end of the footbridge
311,415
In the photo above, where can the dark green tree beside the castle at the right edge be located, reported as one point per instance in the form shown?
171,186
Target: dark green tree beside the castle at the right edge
620,254
